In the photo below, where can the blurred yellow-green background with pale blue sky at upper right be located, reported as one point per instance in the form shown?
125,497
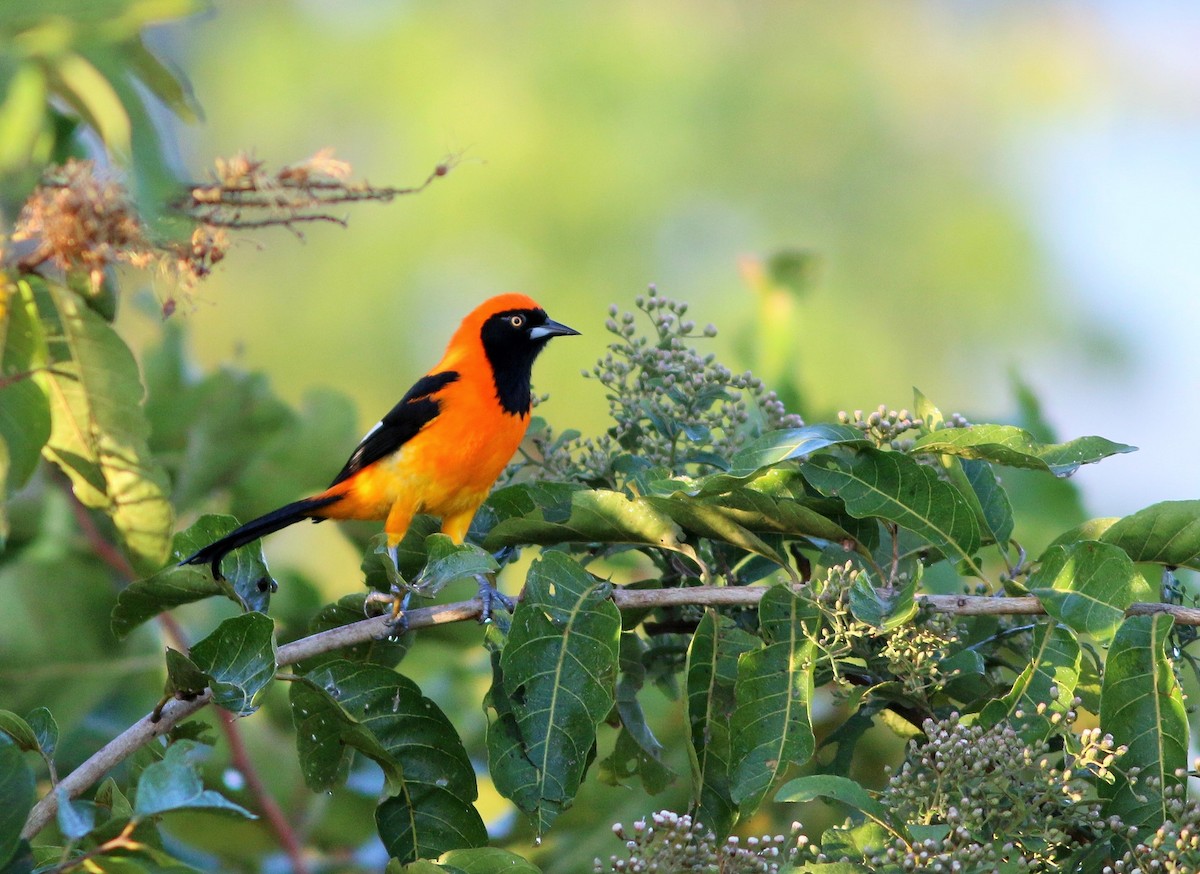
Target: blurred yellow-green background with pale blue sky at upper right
987,187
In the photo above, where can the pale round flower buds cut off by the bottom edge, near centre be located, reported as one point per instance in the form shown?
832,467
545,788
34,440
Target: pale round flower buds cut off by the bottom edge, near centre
673,842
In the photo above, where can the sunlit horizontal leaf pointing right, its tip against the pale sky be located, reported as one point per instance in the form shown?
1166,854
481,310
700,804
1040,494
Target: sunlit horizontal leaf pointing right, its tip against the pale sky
1015,447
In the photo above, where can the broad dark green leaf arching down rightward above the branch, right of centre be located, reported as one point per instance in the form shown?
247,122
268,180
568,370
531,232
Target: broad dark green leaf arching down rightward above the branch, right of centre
893,487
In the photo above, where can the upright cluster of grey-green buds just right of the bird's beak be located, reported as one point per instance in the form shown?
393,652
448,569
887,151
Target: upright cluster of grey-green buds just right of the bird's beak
673,408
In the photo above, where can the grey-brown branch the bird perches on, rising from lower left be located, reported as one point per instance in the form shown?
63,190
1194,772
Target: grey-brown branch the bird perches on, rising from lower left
376,628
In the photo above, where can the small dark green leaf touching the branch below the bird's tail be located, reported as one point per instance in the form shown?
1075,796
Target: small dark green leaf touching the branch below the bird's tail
239,657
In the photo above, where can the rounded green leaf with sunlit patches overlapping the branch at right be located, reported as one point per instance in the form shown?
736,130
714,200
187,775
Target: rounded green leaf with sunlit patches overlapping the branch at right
1088,586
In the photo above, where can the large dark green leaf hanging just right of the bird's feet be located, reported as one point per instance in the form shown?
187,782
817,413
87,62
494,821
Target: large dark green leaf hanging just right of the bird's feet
559,671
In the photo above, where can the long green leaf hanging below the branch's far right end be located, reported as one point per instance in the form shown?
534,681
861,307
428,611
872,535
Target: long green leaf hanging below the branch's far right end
1142,707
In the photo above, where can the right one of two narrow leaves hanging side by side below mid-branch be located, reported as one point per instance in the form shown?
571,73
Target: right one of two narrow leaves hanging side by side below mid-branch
772,727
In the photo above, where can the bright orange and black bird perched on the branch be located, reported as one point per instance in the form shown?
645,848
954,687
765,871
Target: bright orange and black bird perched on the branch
445,445
